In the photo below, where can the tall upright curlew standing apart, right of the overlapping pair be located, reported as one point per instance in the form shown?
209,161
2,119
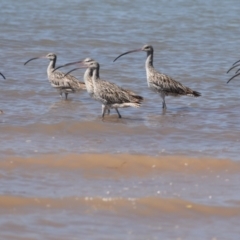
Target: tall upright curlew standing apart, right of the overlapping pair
159,82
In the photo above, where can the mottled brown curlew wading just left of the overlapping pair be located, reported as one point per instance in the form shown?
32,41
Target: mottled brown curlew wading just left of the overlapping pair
63,83
